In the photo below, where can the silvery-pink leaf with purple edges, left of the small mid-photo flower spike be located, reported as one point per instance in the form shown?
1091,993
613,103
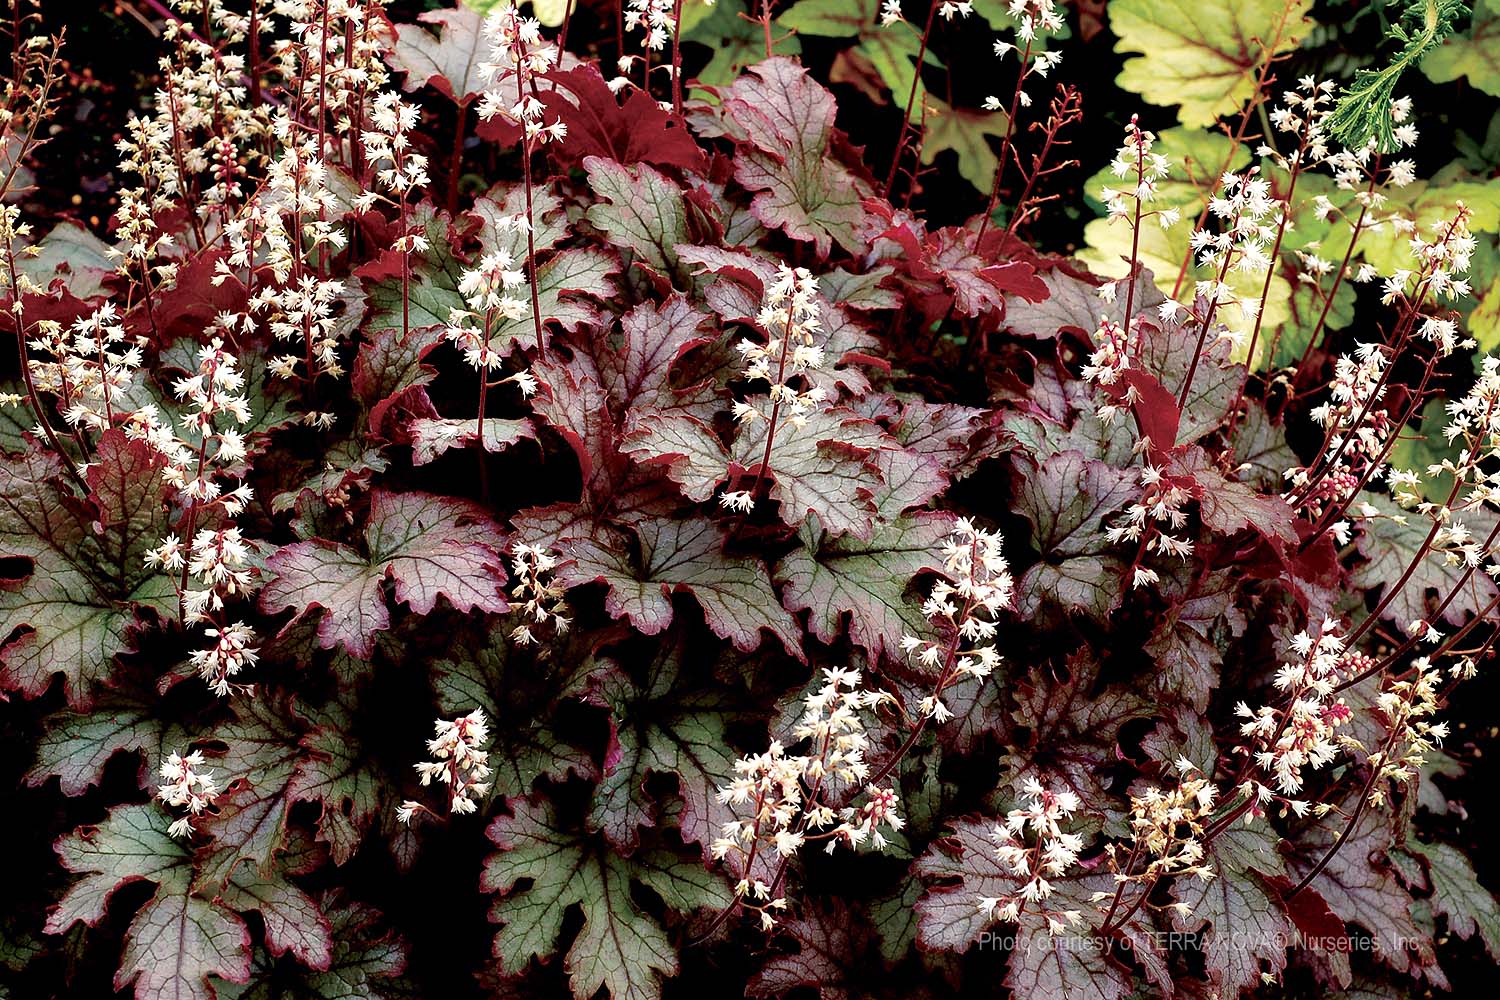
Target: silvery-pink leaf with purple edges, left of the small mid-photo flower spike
428,546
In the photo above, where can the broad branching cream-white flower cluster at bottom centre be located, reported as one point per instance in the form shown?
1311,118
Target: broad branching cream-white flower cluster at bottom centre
790,800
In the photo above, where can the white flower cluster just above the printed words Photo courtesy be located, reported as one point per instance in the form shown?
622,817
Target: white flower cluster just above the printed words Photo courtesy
1033,848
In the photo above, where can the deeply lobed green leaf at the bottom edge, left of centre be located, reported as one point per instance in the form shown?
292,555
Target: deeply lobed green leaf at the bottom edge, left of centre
544,870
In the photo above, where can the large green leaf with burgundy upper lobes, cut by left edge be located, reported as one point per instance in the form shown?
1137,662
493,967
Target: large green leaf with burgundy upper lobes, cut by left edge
73,606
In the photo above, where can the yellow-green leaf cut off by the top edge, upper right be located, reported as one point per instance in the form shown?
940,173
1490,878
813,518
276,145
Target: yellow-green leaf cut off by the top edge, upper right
1202,55
